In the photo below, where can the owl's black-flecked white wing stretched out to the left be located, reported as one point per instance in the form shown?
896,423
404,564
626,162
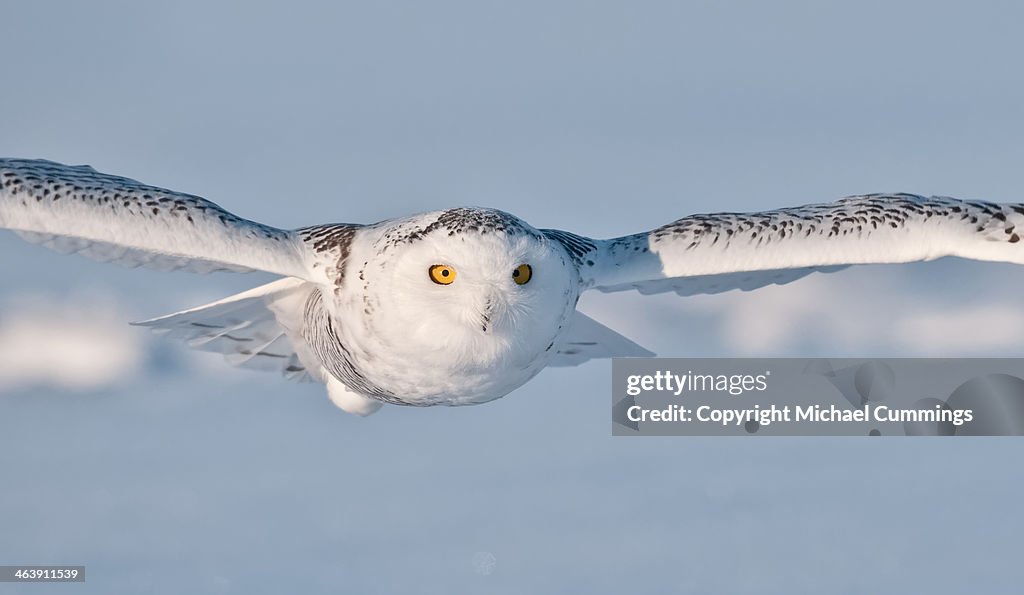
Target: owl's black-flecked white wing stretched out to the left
112,219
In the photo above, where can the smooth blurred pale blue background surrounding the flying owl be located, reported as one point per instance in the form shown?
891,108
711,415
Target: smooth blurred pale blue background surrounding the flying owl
172,473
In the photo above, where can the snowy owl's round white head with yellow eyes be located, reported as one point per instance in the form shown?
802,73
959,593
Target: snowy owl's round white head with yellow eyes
479,286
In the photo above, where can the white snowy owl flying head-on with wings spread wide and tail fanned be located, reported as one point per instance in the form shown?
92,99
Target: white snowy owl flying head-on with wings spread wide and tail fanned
460,307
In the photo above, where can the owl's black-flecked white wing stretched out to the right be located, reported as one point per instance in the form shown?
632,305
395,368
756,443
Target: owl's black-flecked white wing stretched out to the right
720,252
